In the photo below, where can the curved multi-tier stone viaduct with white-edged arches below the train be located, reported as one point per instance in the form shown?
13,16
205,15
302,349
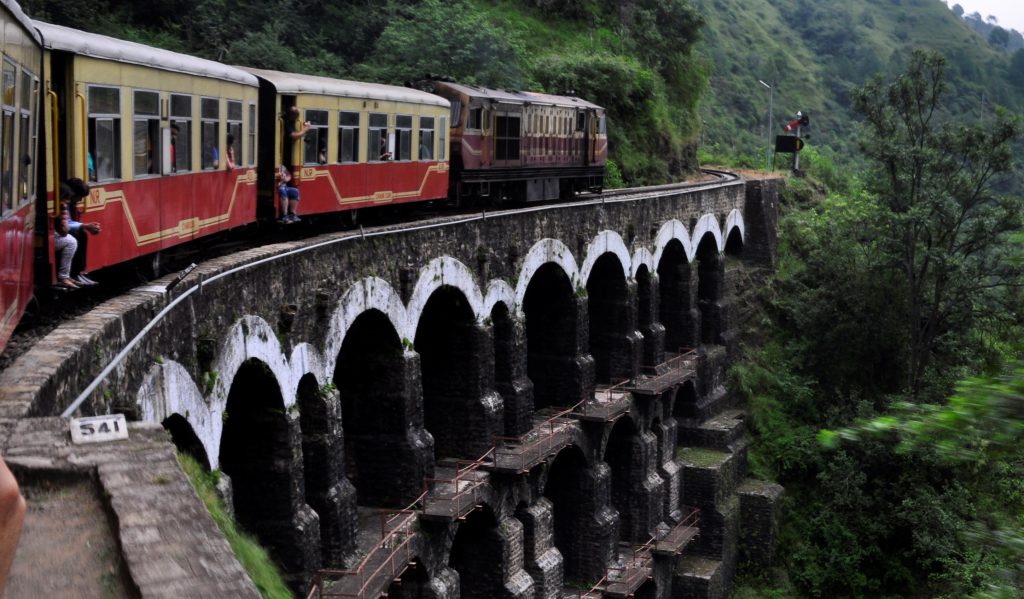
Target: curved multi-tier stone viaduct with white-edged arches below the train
581,351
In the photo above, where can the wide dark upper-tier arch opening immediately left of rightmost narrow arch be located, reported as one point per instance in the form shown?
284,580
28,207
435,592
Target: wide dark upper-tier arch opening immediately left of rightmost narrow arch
614,343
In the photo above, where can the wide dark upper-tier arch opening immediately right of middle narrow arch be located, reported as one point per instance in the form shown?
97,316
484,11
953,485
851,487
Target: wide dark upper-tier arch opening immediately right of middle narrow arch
553,337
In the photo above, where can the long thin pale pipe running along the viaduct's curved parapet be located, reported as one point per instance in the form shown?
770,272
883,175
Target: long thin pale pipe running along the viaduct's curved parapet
617,197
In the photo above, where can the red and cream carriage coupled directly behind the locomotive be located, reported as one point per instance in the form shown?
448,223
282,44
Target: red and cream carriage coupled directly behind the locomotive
369,145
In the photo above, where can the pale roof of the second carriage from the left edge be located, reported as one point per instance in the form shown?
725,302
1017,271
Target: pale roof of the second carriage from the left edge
57,37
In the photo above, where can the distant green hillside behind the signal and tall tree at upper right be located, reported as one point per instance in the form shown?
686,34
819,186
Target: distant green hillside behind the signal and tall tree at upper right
817,52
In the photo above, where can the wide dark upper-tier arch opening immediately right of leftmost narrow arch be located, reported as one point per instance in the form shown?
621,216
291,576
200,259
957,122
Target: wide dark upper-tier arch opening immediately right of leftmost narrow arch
388,453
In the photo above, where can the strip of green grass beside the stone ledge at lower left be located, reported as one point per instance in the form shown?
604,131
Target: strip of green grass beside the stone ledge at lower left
254,559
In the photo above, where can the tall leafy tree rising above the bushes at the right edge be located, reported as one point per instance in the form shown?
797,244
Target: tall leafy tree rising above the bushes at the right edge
934,183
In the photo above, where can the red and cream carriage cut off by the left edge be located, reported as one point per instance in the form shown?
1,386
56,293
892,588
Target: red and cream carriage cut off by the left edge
19,107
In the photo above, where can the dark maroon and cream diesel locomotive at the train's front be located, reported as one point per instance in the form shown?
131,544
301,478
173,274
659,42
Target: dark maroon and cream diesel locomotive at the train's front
523,146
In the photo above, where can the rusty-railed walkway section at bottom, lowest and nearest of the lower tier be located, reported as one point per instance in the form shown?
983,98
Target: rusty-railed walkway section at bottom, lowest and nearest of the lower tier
392,555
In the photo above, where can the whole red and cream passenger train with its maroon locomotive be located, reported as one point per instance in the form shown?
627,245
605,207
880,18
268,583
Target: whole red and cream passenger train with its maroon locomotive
177,149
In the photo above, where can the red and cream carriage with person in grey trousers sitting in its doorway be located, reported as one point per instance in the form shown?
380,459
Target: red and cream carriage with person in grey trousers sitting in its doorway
149,130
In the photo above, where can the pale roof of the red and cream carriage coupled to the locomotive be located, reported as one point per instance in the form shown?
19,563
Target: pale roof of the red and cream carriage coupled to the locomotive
295,83
